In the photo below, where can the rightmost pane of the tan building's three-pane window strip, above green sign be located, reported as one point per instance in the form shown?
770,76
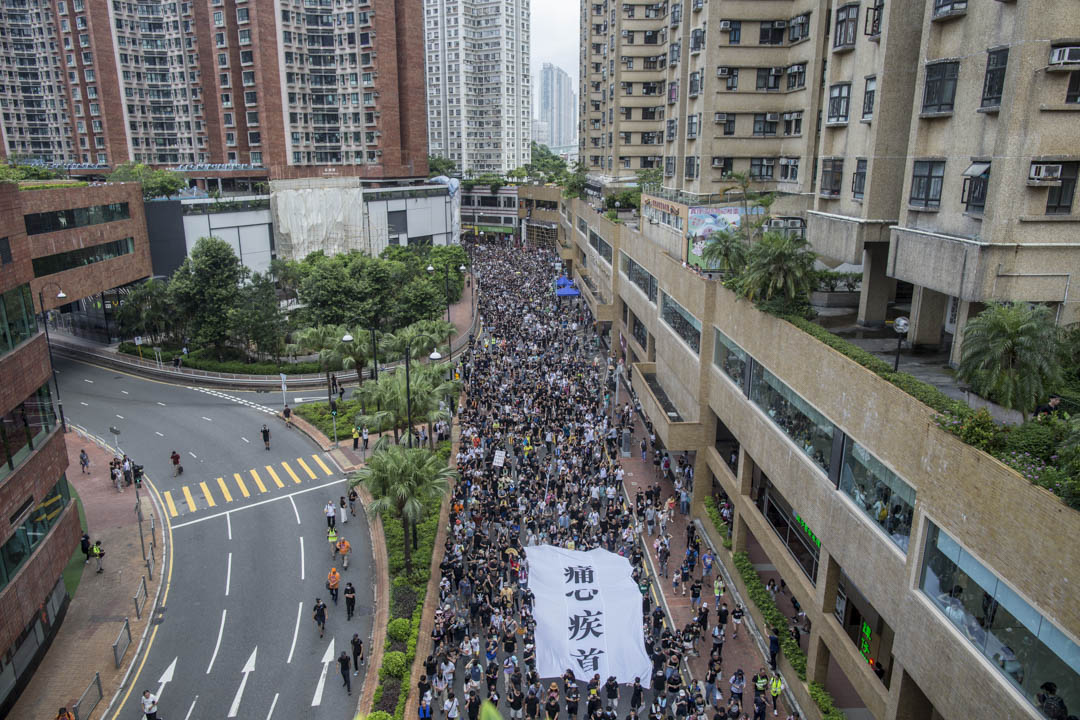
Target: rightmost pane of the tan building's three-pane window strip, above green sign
880,493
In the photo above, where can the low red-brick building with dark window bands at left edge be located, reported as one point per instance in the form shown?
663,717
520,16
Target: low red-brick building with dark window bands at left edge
40,260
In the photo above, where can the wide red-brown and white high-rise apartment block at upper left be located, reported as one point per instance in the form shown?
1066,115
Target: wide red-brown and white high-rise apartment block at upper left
232,89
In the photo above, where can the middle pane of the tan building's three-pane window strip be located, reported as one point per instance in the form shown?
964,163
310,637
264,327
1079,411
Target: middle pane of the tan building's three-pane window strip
808,429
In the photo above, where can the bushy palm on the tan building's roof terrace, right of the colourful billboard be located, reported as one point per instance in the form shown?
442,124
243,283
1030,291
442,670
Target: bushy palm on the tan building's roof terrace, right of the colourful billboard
779,265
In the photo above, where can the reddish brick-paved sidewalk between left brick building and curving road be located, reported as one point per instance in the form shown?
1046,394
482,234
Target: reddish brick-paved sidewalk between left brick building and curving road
84,646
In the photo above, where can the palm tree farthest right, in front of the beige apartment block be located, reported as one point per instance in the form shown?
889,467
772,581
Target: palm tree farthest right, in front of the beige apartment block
1012,354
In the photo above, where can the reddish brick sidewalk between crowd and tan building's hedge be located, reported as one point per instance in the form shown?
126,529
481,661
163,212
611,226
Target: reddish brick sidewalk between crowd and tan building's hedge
742,653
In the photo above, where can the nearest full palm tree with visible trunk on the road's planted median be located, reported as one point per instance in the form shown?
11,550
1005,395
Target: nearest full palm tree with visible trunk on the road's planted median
402,481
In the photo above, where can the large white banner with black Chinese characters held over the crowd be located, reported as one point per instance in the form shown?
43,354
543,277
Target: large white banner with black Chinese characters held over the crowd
589,615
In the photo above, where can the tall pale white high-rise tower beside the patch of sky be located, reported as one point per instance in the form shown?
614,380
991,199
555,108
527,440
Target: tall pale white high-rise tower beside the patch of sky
480,93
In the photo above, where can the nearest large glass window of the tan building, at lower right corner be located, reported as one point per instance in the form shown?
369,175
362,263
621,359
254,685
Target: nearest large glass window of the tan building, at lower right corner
1027,648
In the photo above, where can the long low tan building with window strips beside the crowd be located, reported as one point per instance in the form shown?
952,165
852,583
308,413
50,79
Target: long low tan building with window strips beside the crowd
902,545
